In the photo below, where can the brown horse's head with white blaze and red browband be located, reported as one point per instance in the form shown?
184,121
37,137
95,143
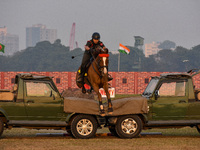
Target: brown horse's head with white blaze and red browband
103,63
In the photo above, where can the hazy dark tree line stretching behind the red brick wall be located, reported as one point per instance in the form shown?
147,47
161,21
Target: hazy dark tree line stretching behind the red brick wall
56,57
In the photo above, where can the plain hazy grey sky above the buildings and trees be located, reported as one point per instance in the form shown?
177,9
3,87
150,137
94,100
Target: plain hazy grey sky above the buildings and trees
116,20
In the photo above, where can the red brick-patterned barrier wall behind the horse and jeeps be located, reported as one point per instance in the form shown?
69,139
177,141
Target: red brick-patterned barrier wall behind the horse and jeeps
123,82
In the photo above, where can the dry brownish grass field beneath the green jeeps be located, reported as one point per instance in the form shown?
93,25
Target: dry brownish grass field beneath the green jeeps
176,139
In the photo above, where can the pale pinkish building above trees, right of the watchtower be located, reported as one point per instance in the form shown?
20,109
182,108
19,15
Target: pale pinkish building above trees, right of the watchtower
151,48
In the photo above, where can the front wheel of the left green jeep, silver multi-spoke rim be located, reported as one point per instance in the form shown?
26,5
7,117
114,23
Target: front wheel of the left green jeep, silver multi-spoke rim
83,126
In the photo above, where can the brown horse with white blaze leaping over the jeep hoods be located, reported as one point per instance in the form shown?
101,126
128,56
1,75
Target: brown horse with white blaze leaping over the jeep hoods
97,77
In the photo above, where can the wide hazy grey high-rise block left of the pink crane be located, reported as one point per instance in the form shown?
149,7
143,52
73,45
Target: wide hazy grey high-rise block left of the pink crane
38,33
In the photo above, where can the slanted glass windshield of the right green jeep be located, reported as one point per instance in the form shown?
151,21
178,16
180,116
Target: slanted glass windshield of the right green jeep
150,87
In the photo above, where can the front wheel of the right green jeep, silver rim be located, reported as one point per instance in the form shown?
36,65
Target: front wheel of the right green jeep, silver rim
128,126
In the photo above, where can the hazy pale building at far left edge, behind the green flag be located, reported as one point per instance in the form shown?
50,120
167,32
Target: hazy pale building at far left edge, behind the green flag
10,41
